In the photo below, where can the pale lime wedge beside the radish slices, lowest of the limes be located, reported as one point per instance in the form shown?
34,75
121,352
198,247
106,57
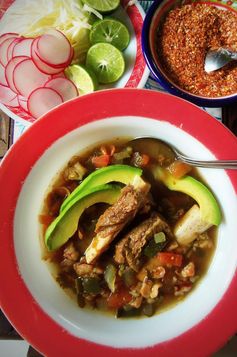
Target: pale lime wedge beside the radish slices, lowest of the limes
84,79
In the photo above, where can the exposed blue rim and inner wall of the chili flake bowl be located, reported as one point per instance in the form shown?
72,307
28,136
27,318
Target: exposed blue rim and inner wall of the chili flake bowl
156,12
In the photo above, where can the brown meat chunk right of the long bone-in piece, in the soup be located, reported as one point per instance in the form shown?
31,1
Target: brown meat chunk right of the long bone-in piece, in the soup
129,249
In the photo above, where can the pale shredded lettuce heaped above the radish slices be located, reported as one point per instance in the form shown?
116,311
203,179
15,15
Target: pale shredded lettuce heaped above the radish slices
31,18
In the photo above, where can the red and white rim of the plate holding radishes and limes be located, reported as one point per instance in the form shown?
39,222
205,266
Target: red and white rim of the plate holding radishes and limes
137,78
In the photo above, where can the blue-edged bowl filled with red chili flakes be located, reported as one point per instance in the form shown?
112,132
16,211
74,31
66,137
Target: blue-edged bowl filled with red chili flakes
176,38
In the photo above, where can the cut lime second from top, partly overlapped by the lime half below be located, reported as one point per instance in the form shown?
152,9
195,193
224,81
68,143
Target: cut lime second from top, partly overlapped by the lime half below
111,31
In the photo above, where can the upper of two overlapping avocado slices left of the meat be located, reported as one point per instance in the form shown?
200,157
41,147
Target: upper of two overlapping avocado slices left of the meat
117,173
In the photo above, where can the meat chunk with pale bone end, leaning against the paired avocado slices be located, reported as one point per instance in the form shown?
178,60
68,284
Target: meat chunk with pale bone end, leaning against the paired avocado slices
114,219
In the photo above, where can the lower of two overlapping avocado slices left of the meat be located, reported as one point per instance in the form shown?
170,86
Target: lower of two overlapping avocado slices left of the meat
65,225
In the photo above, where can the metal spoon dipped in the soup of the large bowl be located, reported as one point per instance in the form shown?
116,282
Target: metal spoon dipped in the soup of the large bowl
155,147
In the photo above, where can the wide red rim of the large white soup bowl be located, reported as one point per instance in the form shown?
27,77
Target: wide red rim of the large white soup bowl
16,300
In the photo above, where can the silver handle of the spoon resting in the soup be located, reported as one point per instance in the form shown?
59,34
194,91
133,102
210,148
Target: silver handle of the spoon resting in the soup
217,164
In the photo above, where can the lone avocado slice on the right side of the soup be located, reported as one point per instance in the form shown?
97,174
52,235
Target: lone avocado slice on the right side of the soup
209,209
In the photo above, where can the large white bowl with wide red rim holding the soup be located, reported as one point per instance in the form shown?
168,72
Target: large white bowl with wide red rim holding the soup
38,308
